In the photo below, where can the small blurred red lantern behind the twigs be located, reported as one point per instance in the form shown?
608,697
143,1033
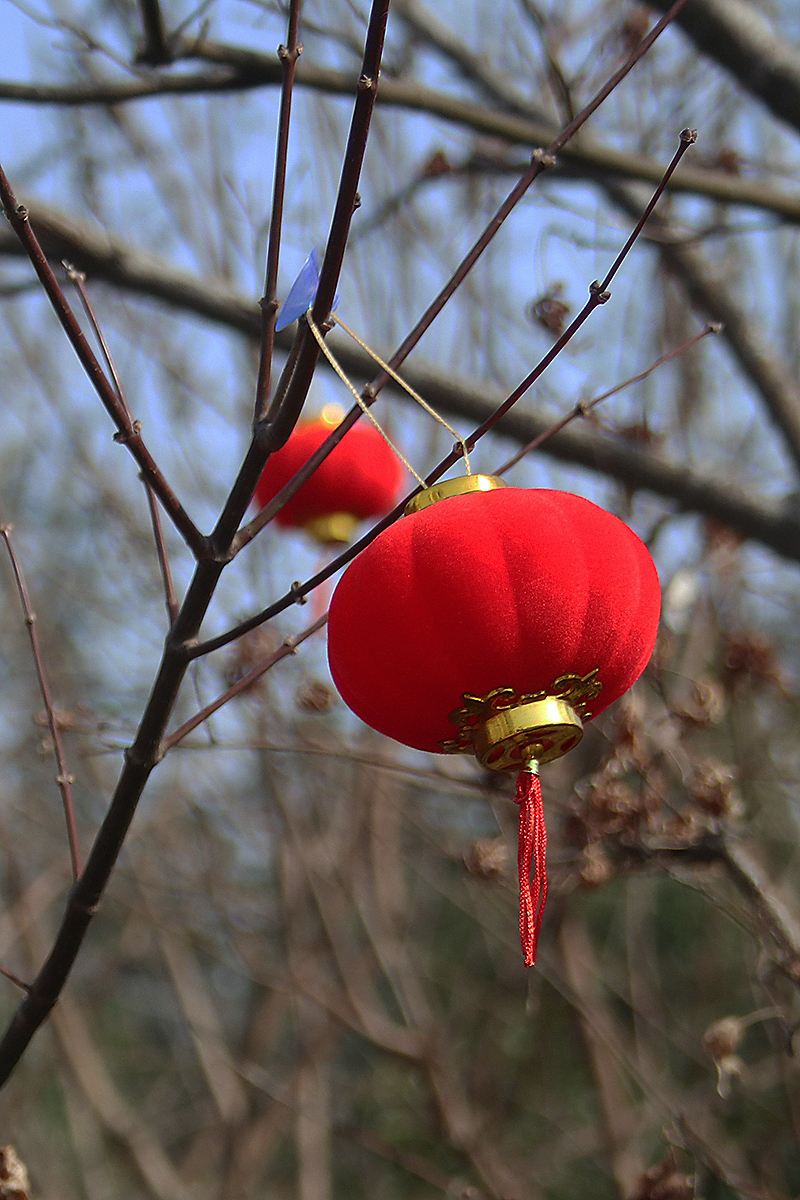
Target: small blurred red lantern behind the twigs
359,479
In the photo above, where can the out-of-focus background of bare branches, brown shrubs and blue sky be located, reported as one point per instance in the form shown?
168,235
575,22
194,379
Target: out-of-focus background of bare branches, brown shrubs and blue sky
305,980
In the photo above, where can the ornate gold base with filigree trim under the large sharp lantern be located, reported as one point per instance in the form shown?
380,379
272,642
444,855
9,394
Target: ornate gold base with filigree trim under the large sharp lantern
506,730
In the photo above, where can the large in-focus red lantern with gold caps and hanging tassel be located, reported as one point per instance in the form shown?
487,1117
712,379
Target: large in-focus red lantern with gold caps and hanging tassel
496,621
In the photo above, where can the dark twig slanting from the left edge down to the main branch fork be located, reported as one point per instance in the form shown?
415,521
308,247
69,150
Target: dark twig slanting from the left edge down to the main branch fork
128,431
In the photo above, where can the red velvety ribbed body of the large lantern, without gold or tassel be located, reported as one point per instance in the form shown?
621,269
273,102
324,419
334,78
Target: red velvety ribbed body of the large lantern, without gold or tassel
506,589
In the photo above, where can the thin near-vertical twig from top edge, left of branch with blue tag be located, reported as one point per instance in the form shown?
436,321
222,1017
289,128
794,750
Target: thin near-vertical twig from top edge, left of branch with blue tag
288,56
